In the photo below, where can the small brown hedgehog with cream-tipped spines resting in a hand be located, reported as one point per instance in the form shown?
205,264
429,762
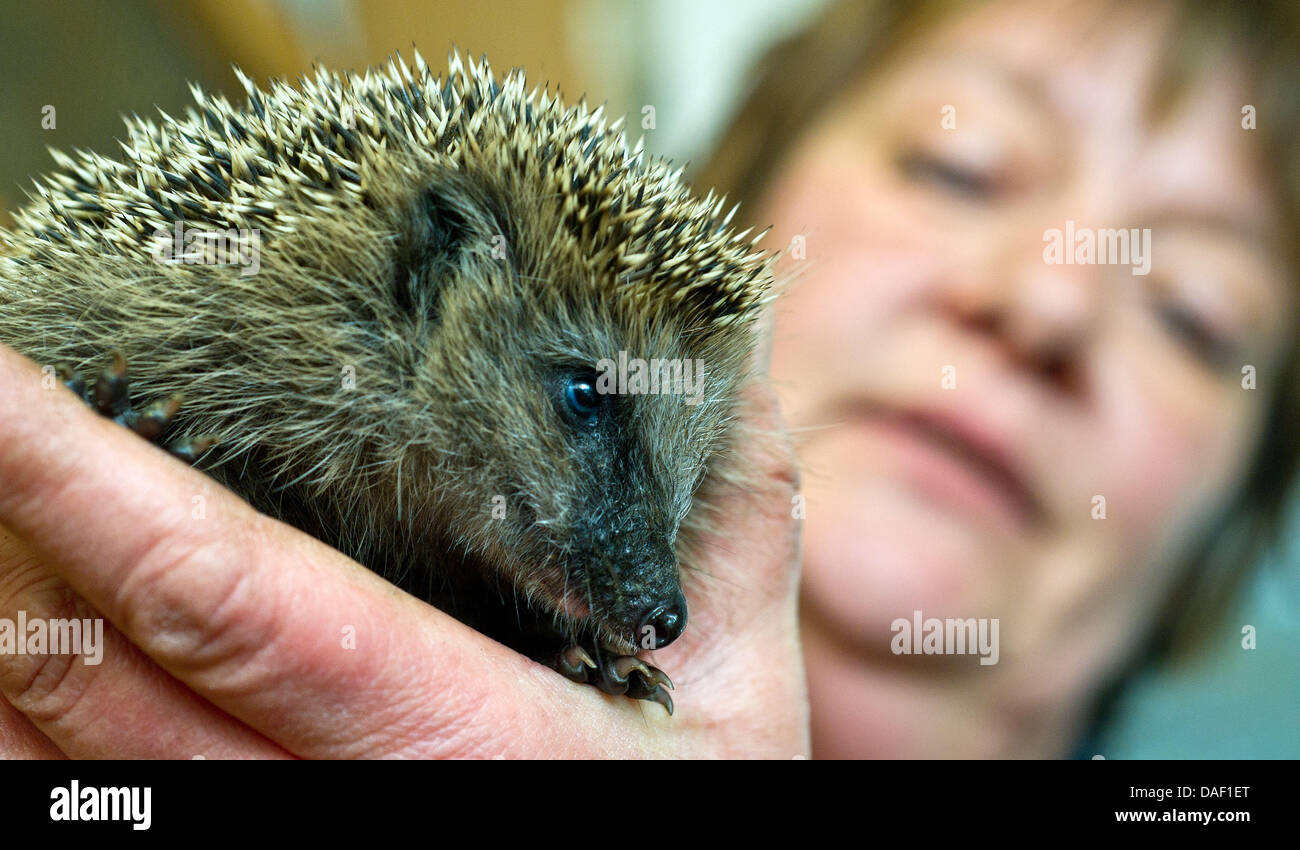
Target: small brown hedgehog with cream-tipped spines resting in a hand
441,323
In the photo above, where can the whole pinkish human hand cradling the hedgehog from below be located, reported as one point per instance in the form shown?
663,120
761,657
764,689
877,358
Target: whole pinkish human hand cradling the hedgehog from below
237,636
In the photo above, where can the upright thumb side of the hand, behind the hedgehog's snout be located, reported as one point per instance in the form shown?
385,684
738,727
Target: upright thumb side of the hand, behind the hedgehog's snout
746,552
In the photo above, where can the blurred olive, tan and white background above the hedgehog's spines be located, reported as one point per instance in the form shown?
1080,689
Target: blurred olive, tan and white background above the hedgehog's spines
97,62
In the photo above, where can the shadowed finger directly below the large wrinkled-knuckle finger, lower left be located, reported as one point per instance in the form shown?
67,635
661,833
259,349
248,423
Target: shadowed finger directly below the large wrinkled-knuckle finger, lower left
101,697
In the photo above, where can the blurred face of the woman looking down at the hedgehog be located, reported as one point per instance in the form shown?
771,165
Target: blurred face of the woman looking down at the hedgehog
990,435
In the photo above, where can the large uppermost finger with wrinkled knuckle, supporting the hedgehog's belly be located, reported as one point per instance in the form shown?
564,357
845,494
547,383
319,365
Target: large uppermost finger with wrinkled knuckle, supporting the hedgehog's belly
271,626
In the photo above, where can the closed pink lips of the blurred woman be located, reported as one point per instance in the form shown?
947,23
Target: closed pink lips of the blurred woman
954,462
